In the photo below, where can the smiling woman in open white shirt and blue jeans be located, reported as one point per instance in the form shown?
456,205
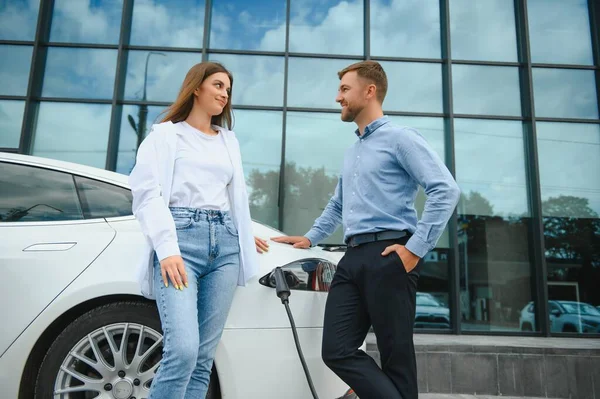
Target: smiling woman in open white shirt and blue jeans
190,199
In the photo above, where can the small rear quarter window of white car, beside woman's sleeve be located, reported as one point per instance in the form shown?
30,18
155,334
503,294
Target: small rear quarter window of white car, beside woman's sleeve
103,200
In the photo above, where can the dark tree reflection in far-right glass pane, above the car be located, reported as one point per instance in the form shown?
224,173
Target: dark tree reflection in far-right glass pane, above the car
572,239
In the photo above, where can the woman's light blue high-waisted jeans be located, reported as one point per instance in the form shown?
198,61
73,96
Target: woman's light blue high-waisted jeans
193,319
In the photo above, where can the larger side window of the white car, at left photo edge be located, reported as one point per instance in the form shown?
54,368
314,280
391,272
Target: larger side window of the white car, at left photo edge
31,194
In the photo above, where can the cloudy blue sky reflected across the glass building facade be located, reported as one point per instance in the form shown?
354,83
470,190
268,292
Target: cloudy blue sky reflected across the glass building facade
490,154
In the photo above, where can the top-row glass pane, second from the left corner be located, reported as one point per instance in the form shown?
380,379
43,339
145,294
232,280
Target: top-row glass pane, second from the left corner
77,21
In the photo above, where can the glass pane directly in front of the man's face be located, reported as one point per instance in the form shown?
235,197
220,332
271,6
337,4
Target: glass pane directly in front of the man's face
314,82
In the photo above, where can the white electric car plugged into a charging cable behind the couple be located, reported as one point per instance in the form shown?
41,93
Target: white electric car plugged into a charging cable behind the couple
74,324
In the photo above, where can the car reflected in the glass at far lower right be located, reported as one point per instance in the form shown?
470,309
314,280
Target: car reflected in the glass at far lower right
565,316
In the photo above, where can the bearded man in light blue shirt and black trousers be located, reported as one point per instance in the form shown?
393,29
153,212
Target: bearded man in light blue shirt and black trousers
376,280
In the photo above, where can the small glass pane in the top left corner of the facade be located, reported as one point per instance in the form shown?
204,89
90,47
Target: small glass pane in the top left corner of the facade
18,19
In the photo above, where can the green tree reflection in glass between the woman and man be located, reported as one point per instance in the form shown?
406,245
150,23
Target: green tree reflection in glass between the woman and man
305,188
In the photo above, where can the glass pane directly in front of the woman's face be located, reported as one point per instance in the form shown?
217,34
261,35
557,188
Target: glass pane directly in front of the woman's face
257,80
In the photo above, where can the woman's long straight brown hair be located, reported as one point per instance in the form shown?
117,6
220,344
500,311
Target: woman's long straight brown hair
181,108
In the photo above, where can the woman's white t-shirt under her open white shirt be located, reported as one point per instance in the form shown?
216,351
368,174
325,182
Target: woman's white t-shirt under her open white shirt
203,170
